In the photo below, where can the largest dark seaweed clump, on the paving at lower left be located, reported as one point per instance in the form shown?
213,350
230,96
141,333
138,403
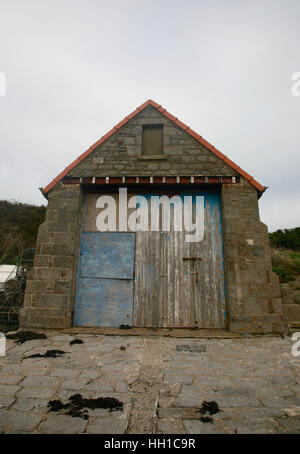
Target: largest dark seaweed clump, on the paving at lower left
77,405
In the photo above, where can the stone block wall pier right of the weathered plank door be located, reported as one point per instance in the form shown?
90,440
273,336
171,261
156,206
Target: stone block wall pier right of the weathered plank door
253,292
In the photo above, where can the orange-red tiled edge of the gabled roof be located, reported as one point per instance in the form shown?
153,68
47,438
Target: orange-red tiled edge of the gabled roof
175,120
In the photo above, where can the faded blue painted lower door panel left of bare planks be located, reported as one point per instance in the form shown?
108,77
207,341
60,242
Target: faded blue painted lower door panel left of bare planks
105,282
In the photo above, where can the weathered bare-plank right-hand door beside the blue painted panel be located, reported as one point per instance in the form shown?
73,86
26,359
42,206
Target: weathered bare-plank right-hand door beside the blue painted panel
180,283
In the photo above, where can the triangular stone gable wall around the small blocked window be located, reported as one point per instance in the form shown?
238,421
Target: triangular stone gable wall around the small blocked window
121,154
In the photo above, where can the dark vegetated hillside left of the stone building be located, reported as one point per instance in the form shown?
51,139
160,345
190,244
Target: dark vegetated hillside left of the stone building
19,223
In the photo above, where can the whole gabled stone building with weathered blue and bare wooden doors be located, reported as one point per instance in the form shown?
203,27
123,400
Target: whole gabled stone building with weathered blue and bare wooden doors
86,275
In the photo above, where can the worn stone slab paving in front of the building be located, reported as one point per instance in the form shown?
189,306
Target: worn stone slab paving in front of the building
255,382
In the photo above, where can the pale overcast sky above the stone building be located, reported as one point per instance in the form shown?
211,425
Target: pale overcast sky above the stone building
75,68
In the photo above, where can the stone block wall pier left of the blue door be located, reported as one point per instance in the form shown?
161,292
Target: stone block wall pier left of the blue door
50,289
